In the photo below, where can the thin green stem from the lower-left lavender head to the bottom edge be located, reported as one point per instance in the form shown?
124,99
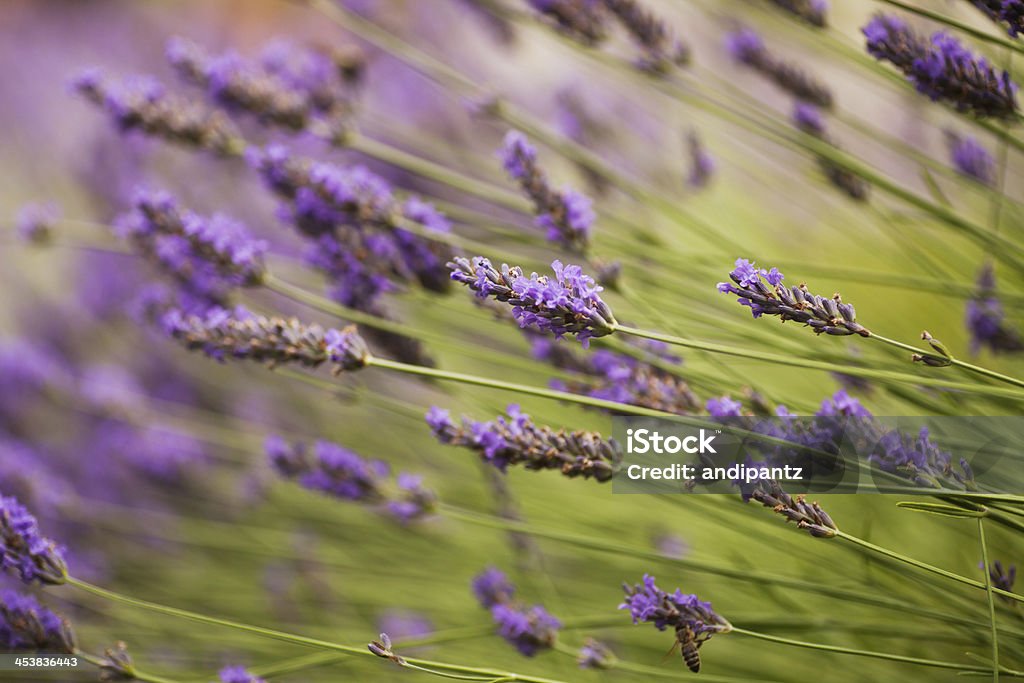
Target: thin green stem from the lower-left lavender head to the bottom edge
423,665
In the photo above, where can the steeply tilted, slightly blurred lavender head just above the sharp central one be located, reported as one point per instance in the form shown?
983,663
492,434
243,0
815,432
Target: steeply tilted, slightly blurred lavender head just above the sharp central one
567,216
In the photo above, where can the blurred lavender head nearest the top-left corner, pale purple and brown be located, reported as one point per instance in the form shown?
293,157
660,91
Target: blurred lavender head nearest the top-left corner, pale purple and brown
142,104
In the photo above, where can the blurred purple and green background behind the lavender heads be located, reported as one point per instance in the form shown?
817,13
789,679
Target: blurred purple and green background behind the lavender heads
148,460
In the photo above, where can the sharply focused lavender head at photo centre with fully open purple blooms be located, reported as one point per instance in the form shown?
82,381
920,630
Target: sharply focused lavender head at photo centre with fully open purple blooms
568,304
